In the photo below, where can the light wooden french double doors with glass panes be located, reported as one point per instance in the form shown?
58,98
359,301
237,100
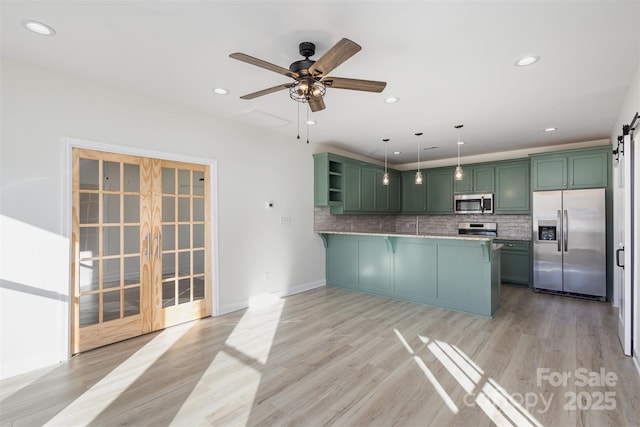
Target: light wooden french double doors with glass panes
140,242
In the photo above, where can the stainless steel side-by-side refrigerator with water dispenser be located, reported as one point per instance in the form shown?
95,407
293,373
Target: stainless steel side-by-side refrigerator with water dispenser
569,243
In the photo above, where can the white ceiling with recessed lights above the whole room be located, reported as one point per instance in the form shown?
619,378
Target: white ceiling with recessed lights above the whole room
449,62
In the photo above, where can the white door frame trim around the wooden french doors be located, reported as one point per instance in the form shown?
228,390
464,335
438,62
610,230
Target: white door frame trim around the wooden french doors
67,202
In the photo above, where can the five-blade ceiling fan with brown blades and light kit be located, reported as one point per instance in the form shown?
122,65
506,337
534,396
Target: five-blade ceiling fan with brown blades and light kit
310,77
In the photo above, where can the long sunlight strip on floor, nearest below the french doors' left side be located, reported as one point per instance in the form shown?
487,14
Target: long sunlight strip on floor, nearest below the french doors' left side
91,403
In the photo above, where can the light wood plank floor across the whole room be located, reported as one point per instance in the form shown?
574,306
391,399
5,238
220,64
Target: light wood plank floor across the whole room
335,357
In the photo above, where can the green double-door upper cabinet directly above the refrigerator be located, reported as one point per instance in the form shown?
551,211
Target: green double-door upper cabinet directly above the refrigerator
582,168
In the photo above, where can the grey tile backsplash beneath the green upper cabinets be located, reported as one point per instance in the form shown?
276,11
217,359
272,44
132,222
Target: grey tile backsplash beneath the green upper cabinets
509,226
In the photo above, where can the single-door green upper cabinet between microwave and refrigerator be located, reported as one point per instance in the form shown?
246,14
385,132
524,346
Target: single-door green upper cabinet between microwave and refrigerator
513,190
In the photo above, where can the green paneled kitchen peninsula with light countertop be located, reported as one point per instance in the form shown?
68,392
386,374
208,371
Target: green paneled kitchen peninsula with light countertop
455,272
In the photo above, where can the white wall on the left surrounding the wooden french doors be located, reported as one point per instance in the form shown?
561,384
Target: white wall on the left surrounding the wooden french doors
39,108
